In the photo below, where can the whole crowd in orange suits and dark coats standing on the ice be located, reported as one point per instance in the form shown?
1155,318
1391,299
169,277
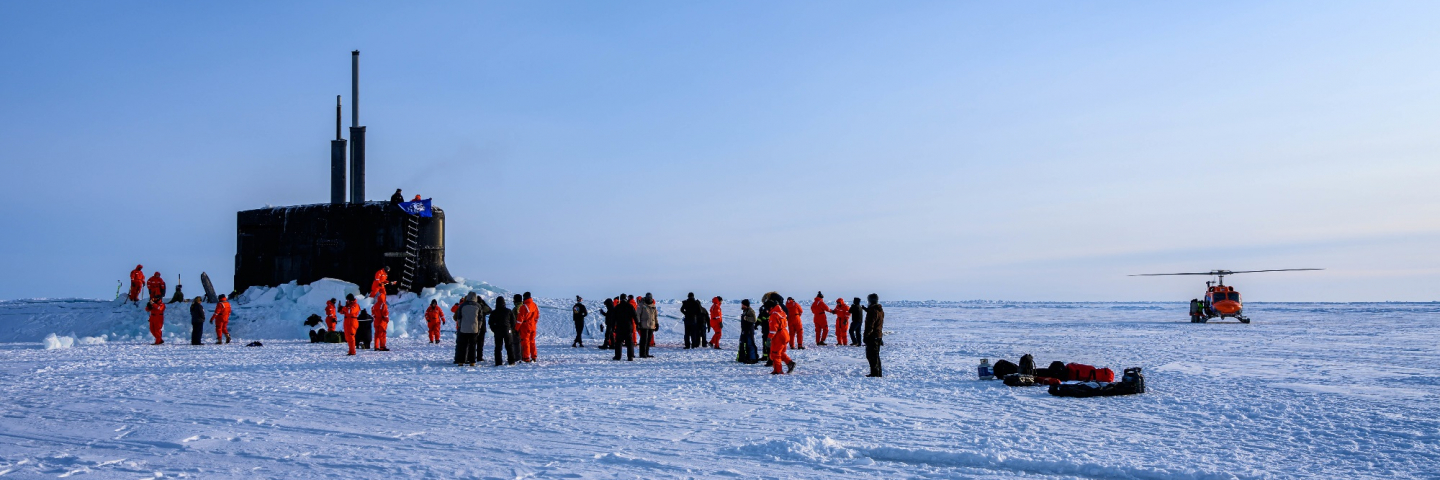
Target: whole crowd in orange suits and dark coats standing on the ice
630,322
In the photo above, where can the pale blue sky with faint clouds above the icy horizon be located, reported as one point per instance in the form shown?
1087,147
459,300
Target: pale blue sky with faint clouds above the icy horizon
947,151
